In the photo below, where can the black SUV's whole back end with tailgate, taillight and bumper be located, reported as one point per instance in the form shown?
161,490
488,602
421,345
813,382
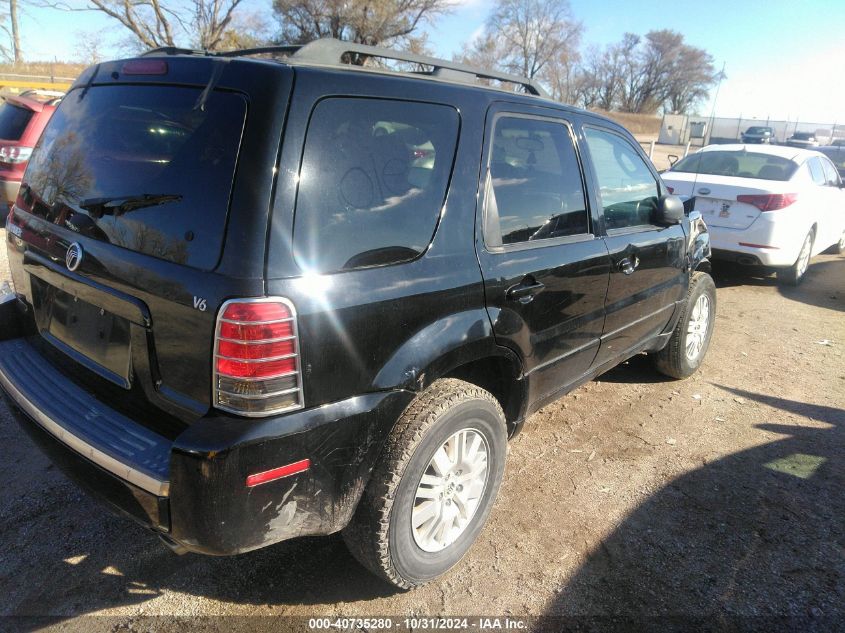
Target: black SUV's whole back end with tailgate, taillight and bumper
128,353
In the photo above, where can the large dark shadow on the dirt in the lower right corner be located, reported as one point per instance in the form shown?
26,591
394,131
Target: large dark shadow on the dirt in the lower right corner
738,544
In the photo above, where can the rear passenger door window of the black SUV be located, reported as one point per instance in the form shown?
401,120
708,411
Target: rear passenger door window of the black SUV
536,188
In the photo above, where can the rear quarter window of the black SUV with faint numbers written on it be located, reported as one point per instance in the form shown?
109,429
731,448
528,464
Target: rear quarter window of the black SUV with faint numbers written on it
372,183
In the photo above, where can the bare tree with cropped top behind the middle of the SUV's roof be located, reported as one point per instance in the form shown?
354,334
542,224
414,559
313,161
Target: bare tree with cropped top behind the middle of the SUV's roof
372,22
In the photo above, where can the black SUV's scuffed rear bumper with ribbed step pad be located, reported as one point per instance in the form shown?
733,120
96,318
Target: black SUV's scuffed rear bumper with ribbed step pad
194,489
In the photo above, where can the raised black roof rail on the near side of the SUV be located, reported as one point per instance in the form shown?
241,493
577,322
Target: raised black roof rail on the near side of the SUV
329,51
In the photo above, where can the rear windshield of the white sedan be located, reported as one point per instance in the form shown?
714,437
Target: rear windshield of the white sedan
739,164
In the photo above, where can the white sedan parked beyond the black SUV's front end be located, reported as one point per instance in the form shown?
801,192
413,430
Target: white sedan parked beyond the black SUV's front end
767,206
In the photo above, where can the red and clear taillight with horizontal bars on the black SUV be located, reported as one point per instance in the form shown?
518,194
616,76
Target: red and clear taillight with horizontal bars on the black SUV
256,357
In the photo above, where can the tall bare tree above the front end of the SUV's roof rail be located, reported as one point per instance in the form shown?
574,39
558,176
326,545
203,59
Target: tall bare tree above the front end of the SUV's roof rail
533,38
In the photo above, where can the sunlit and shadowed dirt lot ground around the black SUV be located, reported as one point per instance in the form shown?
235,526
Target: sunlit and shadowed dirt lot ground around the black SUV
634,496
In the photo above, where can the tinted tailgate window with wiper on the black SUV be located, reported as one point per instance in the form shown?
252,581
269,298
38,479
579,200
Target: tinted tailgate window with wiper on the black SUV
141,167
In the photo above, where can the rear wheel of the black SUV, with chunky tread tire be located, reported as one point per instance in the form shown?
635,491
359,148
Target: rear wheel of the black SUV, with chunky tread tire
433,487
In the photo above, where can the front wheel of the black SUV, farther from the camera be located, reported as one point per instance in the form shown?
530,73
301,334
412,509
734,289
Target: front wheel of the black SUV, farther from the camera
690,339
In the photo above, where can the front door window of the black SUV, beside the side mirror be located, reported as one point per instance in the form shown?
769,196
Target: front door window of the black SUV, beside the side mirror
628,189
